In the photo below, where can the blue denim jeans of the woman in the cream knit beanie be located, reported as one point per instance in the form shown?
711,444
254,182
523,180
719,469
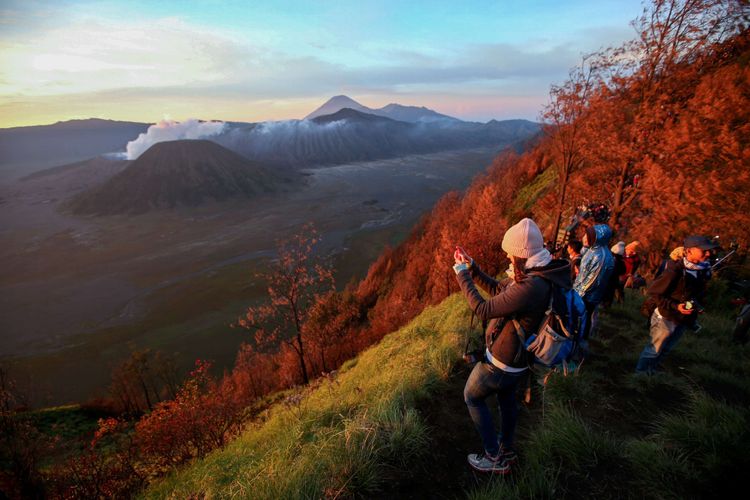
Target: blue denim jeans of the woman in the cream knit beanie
484,381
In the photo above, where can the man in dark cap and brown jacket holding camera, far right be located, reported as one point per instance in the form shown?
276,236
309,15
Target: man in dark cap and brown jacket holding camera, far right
676,296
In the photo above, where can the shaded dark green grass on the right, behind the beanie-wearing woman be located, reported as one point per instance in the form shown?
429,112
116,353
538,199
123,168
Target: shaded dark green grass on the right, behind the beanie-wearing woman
609,433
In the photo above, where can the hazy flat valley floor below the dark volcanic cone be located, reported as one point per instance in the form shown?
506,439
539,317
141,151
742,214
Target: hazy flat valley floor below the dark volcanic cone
78,293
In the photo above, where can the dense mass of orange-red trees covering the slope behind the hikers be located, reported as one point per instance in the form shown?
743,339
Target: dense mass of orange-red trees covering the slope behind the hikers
656,128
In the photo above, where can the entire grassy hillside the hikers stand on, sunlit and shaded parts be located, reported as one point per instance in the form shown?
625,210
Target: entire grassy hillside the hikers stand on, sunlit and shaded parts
392,423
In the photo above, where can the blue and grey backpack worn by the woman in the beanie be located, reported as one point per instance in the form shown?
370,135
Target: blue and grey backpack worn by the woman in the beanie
560,330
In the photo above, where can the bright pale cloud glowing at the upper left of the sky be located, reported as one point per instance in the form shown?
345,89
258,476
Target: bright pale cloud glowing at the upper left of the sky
96,55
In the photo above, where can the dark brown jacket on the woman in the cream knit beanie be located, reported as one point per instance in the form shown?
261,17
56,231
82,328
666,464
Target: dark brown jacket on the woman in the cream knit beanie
526,301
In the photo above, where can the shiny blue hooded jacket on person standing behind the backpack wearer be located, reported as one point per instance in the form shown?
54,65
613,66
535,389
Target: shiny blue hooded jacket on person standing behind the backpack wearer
596,268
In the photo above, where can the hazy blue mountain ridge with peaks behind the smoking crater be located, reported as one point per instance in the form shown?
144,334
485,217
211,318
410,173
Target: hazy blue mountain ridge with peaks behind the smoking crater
361,136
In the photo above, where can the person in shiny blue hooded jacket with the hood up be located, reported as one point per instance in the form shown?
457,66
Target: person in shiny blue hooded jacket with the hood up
597,265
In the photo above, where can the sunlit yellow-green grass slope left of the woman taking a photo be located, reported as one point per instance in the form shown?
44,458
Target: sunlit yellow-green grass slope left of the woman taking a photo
343,437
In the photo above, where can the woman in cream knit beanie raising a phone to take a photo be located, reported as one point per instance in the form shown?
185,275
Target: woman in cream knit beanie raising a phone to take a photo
523,297
